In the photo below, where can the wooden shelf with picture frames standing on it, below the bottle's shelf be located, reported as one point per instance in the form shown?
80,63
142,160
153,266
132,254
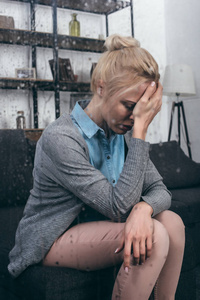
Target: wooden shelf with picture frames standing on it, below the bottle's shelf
43,85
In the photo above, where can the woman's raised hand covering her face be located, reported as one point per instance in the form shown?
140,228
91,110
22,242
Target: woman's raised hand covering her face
146,109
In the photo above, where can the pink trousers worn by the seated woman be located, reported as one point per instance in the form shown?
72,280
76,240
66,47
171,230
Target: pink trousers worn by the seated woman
91,246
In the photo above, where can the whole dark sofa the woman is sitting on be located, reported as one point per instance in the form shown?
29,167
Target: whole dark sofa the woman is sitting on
180,174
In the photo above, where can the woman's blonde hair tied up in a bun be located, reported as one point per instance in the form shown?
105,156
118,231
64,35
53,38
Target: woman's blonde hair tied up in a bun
124,64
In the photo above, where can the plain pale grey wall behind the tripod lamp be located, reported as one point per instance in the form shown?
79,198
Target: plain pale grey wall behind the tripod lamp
182,25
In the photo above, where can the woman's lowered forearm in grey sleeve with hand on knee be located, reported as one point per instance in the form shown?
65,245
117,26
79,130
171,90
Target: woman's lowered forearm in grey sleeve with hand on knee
138,231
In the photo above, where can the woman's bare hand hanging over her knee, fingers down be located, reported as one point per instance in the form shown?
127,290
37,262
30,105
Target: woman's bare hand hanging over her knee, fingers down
138,235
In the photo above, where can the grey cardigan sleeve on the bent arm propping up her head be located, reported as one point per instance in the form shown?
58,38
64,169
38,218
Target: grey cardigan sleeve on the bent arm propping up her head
67,163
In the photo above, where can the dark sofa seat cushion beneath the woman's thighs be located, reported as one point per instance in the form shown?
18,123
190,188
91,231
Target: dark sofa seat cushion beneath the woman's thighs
58,283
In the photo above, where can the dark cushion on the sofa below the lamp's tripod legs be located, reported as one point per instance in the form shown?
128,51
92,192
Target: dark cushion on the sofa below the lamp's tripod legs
177,170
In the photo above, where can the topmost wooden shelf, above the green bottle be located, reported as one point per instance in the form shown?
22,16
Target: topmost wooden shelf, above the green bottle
94,6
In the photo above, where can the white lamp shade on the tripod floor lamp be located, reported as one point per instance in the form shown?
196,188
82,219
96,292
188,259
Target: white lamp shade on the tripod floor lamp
178,79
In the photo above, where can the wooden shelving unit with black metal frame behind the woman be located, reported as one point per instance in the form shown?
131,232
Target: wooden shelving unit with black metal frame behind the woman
34,39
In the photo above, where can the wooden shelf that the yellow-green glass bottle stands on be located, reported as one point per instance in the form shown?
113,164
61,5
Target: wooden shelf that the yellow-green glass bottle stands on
42,39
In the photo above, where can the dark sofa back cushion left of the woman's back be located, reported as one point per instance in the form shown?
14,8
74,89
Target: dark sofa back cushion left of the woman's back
16,164
